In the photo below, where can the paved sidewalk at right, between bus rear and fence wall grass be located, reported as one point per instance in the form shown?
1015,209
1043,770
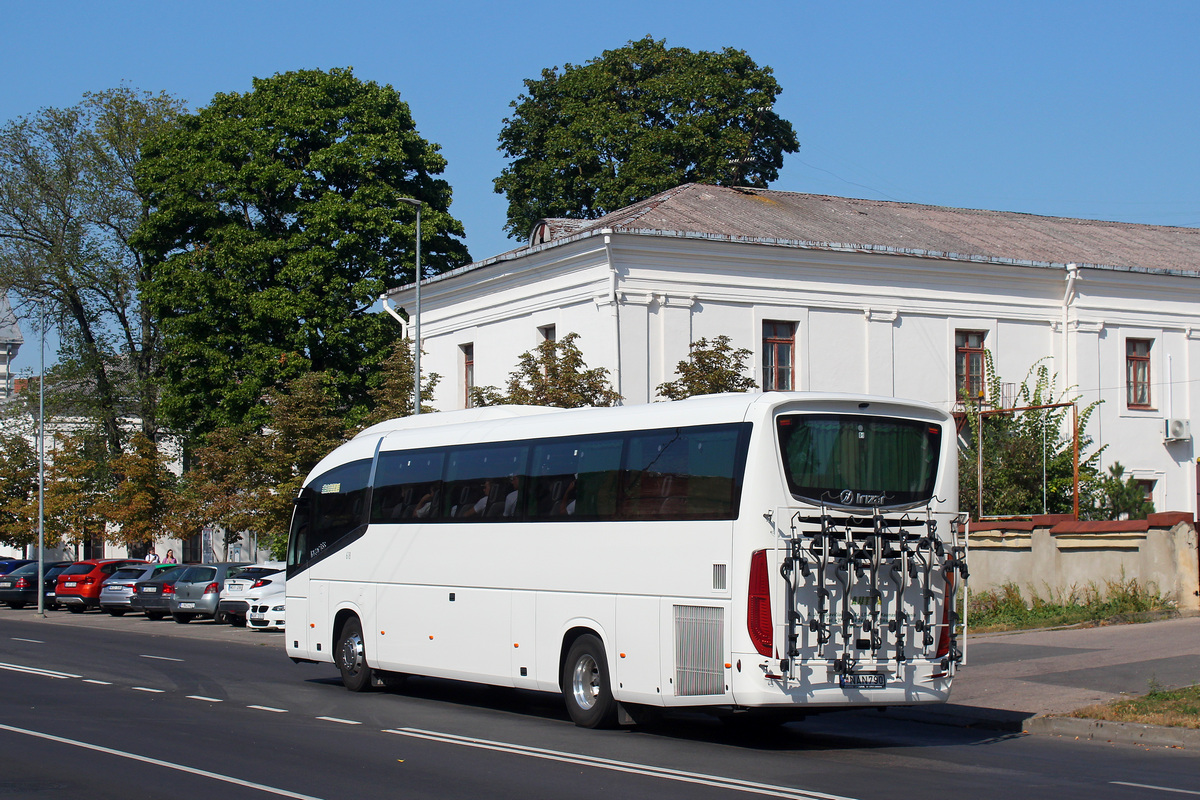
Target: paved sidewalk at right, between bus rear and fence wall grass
1019,681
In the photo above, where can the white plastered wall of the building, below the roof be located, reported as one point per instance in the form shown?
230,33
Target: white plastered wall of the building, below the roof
869,323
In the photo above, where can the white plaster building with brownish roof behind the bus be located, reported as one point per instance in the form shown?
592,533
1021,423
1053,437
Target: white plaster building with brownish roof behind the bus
838,294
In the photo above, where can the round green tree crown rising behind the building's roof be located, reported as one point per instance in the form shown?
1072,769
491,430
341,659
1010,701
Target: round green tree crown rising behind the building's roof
637,122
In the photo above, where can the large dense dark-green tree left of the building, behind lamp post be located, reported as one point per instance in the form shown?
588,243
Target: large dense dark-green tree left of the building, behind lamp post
278,220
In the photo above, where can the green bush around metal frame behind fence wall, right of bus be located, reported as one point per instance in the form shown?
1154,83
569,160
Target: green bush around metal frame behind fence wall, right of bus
1021,444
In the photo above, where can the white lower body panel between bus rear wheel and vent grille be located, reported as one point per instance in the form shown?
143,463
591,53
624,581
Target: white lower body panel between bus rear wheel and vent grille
638,641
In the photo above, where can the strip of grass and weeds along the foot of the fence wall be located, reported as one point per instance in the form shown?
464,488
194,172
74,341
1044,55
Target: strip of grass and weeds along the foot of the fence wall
1007,610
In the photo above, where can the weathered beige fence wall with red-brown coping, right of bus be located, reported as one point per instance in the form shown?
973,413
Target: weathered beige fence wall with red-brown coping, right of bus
1057,556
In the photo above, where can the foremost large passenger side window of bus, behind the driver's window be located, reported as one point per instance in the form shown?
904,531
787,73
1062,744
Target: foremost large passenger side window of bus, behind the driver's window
409,486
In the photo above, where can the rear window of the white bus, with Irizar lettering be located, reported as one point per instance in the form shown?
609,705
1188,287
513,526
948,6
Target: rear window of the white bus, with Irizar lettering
857,461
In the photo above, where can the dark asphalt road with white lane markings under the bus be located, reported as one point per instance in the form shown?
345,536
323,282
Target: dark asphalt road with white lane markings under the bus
129,708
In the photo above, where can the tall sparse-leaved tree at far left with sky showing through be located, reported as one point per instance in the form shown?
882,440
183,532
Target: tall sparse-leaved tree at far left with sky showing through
69,207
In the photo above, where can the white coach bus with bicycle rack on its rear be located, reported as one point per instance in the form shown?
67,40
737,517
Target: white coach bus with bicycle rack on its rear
778,551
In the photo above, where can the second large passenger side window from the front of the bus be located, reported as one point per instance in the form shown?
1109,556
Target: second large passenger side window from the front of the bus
483,483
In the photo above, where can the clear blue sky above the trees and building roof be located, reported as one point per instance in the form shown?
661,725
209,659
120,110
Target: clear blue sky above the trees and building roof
1083,110
